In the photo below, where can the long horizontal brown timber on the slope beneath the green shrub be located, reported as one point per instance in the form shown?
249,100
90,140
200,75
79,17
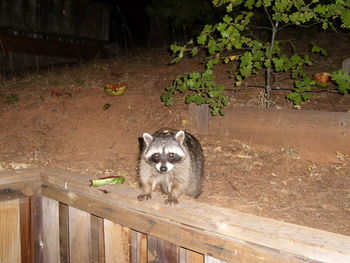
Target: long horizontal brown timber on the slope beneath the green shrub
302,130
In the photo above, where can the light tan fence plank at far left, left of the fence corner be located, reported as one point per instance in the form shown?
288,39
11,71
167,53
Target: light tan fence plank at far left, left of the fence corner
10,241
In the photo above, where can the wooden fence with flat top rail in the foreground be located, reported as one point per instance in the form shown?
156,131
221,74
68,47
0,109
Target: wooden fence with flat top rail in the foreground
51,215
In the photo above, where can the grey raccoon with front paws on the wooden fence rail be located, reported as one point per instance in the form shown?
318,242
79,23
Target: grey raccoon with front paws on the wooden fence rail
174,160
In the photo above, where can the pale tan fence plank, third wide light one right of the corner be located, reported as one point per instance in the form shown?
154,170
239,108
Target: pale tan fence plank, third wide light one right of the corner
117,242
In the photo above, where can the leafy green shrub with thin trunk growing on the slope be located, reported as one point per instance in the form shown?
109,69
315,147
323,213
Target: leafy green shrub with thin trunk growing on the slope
231,41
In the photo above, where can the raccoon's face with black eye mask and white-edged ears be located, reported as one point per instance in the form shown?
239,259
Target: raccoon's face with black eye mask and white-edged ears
164,152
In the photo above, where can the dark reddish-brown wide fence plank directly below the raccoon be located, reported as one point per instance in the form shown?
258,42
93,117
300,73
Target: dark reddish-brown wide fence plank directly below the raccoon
160,251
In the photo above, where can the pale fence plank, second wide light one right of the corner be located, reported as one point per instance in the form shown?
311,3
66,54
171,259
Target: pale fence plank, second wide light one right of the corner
79,236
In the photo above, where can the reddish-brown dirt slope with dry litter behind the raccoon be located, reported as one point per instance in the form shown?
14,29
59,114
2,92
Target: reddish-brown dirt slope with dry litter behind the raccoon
59,121
